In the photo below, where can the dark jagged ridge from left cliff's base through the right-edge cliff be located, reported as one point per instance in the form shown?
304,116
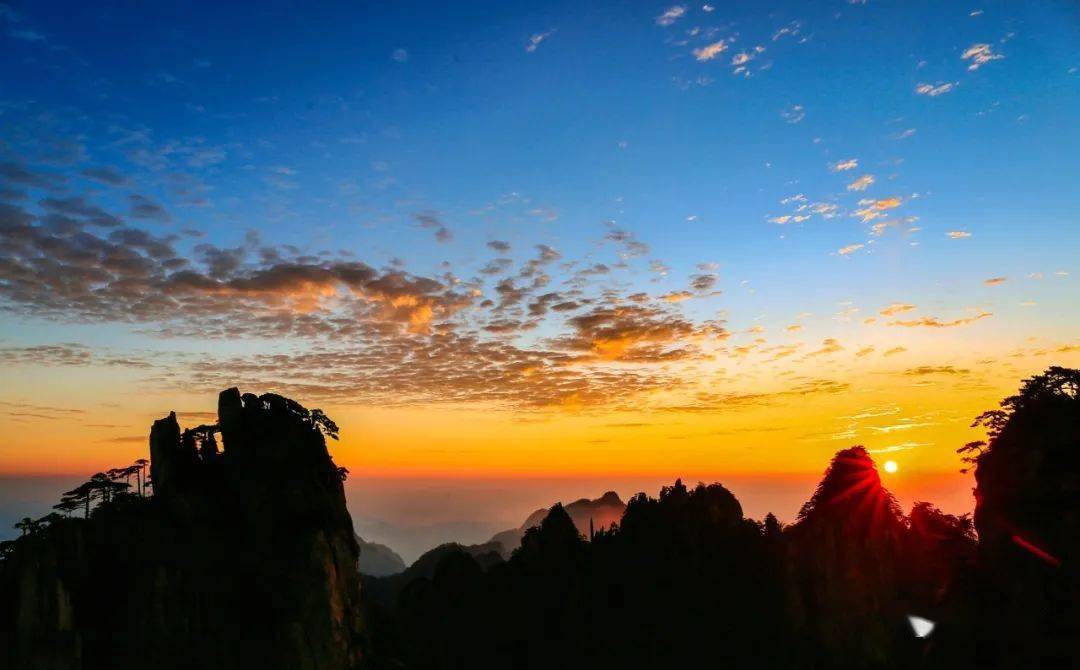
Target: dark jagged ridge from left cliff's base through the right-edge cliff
687,581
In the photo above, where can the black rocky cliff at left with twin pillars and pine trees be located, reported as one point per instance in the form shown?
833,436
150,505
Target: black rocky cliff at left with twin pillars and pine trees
242,558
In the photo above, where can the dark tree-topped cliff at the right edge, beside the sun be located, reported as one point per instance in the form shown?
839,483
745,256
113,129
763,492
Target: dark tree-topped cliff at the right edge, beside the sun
1027,605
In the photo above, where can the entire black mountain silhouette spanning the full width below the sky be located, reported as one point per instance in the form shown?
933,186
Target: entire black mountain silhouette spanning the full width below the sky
245,556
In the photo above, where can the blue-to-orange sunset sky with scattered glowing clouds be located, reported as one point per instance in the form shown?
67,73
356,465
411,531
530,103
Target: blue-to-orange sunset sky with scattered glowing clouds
518,250
